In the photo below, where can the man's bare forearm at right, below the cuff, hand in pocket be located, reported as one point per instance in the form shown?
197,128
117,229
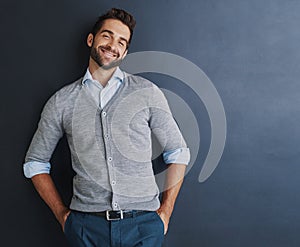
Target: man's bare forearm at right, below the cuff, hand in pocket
174,179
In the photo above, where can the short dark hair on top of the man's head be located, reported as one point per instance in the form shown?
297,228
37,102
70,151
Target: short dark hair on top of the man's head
117,14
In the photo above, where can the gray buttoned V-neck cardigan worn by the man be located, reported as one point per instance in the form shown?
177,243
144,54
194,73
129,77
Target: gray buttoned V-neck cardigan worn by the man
110,147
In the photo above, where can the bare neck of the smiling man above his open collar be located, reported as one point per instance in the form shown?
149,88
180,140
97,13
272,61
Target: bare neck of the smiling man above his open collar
100,74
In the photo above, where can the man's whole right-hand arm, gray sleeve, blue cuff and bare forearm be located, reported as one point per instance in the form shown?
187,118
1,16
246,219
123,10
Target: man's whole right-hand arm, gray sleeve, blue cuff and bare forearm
175,151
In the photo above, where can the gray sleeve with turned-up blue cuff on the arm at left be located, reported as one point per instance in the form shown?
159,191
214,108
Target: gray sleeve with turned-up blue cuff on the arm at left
44,141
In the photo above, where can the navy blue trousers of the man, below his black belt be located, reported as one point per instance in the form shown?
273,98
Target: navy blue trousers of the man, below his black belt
86,230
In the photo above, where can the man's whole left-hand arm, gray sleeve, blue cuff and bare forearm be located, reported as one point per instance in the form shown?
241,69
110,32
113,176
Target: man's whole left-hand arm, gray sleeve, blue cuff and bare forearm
37,166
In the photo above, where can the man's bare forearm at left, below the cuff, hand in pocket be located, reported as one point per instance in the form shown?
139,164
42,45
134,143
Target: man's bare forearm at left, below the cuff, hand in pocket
48,192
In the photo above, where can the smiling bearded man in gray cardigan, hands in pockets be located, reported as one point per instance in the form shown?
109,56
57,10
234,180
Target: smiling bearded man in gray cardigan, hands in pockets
108,117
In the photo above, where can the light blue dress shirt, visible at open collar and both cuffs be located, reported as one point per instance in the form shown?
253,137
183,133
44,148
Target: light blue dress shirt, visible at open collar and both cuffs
101,95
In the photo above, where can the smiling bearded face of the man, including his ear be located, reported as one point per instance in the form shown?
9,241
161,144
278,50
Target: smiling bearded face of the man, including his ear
109,46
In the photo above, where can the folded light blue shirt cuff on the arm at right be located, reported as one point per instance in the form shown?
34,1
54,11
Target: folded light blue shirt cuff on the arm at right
177,156
